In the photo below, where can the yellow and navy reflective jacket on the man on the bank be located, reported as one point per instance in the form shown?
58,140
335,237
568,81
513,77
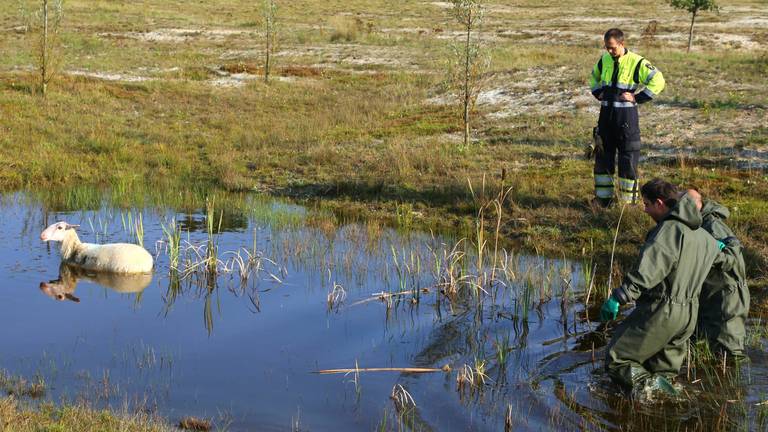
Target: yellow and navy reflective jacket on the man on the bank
613,76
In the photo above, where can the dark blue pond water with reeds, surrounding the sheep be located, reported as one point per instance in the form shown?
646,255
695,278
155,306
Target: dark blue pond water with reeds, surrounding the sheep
243,352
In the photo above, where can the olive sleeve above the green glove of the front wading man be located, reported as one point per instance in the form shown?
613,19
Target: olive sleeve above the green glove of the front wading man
655,264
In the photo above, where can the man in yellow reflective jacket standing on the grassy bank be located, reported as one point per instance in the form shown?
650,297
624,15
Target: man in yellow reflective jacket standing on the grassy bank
614,81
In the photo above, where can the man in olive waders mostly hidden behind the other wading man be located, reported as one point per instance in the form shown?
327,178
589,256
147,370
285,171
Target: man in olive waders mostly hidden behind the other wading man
724,301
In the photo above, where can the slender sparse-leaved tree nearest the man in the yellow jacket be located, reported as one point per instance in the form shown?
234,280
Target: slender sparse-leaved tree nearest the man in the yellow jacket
469,61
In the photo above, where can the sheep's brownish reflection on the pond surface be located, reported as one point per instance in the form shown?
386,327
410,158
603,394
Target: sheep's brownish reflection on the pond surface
63,288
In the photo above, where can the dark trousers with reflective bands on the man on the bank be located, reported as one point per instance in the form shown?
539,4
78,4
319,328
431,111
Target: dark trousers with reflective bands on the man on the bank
620,132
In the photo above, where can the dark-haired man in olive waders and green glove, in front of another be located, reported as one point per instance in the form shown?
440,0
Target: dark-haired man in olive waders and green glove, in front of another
648,347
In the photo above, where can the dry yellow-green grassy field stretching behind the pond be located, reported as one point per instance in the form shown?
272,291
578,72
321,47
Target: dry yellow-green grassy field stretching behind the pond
355,127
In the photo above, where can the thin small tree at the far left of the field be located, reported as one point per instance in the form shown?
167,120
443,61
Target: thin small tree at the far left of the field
47,21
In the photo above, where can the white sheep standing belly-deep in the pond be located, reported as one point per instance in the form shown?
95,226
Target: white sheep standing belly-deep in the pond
113,258
